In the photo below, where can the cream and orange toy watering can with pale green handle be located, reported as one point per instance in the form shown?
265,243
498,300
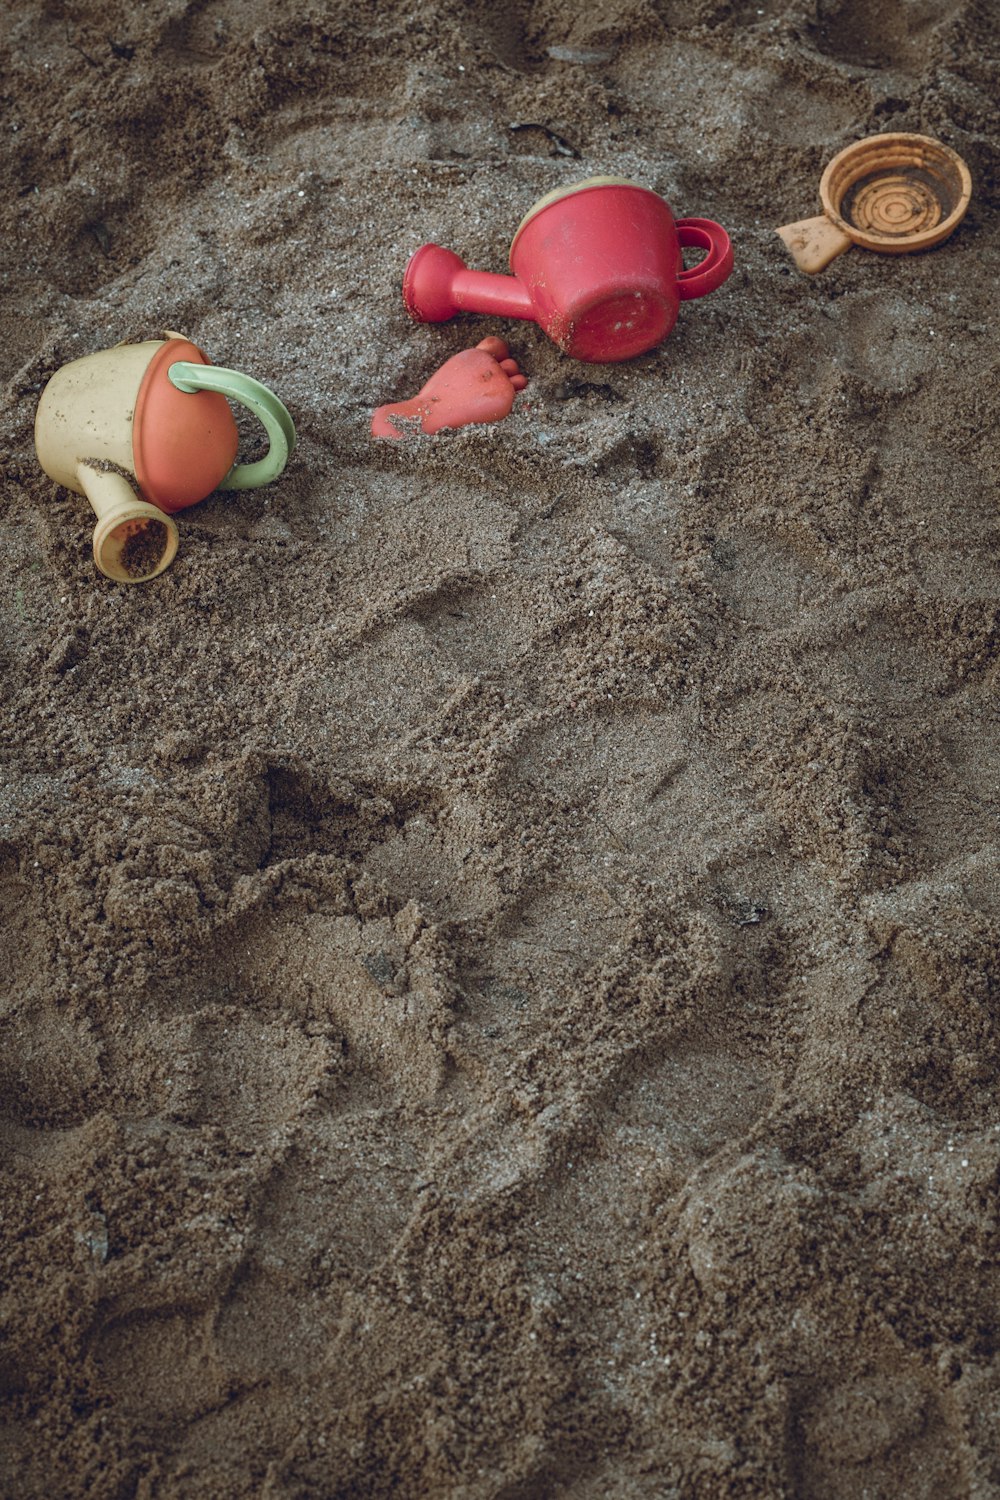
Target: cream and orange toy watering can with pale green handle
151,416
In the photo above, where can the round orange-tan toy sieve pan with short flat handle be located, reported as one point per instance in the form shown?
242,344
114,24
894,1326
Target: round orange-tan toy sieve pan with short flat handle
896,194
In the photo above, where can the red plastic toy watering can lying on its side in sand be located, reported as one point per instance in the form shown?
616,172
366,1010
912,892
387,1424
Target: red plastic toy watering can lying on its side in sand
597,266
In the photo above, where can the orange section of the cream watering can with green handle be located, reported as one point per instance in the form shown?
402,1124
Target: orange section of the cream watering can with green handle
184,443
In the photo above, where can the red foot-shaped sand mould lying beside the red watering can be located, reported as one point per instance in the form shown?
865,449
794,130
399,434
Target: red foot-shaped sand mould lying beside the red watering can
475,386
